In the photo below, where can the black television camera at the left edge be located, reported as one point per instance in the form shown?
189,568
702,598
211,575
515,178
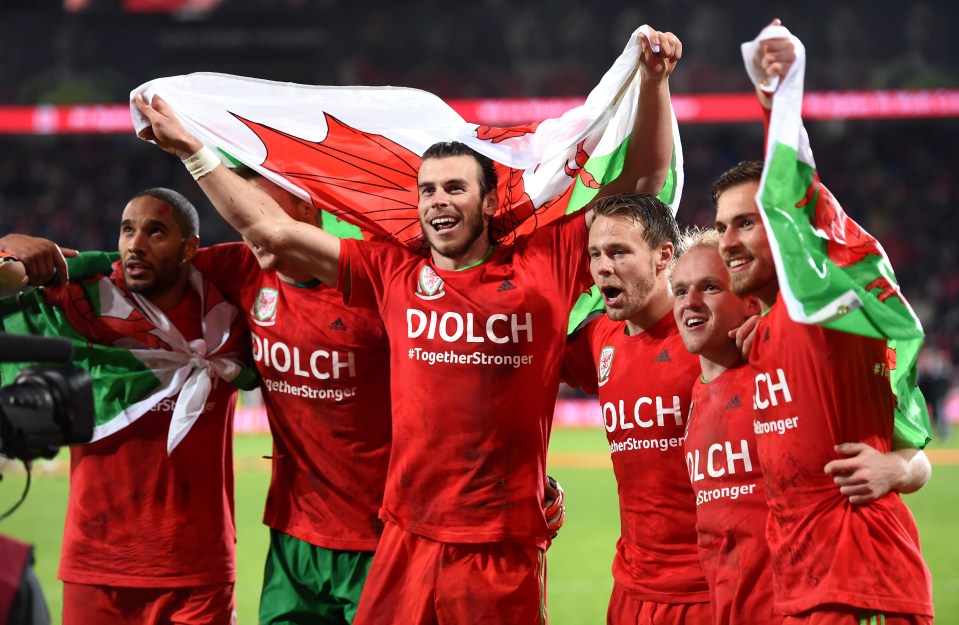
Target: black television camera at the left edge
46,406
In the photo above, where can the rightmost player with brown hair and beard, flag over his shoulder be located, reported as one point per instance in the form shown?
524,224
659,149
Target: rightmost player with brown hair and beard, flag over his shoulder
815,389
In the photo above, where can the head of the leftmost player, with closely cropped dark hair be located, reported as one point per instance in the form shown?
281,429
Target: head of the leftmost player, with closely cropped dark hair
153,251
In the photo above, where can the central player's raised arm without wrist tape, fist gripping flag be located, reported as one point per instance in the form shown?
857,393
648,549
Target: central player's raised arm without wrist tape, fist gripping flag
650,151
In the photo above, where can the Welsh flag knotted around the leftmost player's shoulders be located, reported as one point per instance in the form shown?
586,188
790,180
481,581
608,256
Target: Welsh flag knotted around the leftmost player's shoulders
134,354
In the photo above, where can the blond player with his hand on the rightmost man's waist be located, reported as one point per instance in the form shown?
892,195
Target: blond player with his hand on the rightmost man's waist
720,443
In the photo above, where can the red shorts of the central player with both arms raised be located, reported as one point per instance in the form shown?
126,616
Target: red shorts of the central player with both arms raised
416,581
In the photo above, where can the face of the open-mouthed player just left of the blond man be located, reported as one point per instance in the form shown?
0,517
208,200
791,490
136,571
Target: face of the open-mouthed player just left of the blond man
624,267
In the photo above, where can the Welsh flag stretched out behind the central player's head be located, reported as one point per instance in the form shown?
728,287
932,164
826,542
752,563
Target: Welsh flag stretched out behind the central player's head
355,151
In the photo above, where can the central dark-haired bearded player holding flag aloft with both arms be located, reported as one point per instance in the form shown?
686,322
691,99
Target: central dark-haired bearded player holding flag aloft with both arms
475,333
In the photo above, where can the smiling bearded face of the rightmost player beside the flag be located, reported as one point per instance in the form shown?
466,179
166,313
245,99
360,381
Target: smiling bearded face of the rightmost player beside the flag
743,244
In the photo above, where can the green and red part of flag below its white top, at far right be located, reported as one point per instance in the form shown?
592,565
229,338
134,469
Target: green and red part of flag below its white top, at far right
861,297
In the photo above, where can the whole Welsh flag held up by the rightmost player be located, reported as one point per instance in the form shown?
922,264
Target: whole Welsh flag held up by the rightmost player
831,272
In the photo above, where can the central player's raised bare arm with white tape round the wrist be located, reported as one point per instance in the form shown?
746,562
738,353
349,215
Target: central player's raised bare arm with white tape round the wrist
249,210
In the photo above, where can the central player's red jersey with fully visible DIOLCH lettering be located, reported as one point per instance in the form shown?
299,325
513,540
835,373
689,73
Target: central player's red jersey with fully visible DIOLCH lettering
475,358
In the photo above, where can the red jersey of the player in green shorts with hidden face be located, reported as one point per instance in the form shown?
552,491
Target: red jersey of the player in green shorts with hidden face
324,372
